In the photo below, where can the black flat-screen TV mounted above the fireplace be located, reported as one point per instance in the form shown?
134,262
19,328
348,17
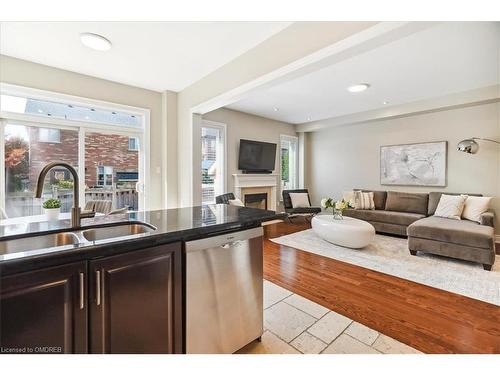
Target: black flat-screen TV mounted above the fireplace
256,157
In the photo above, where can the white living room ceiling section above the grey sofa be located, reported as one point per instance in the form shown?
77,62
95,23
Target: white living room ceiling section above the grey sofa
447,58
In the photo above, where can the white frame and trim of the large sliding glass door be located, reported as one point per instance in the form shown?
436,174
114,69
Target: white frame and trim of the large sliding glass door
143,133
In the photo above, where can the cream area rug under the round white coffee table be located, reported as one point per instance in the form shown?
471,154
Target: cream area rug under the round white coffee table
390,255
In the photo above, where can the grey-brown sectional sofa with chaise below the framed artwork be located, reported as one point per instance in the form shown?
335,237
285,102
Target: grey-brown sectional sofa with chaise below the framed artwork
411,214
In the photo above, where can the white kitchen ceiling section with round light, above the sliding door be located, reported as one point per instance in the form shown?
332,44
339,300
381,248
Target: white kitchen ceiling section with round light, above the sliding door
154,55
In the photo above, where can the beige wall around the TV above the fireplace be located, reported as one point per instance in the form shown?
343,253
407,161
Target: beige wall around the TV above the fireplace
245,126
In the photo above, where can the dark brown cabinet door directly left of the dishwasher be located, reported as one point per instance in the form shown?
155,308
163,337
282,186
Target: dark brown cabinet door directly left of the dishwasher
136,302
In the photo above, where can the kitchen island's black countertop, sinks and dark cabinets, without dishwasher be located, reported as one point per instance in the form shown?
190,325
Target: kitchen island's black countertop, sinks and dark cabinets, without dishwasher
115,285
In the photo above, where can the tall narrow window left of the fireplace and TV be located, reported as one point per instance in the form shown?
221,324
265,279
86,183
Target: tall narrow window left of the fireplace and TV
212,161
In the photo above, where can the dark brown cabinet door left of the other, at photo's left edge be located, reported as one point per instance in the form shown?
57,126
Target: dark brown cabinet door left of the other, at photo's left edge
44,311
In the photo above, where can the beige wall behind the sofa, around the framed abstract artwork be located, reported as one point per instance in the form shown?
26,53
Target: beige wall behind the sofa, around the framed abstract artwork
348,157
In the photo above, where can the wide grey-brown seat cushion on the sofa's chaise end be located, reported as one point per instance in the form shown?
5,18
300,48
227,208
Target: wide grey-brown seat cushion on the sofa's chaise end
461,232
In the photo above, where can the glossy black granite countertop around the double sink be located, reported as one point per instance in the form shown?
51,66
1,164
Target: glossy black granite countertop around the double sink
179,224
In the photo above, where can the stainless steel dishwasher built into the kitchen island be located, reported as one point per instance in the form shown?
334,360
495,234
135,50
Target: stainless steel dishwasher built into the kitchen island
224,302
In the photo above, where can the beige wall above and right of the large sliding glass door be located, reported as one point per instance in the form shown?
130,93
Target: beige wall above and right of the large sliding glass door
29,74
